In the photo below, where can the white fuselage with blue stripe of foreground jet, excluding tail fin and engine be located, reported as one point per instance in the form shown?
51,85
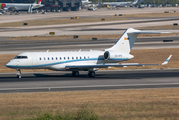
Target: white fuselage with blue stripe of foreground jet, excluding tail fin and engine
59,60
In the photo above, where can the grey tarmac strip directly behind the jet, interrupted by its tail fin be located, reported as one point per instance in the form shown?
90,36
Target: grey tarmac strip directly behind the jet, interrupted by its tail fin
15,47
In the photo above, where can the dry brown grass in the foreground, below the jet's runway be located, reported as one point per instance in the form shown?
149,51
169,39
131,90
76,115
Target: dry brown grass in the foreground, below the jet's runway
151,104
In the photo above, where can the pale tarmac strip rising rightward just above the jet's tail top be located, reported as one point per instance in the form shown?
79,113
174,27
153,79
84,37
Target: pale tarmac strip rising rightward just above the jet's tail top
93,28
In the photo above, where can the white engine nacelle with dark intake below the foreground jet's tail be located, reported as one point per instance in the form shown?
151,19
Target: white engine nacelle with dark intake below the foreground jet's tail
112,55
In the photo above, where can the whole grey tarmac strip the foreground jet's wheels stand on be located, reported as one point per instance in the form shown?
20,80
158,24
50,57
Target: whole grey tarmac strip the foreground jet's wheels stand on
104,80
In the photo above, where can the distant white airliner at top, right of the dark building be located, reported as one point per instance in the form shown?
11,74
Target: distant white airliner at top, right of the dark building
121,3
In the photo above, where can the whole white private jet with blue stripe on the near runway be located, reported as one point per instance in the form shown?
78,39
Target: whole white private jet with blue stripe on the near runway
77,61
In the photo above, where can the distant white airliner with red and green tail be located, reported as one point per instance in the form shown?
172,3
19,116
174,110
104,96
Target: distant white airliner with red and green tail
20,6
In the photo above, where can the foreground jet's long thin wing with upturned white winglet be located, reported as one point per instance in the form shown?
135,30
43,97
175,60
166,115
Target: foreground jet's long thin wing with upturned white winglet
112,65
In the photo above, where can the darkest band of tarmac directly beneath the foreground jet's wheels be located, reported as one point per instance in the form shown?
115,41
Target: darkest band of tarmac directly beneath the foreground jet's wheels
82,77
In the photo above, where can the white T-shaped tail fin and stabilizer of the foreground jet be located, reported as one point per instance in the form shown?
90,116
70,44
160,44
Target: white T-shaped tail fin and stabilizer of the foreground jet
126,42
